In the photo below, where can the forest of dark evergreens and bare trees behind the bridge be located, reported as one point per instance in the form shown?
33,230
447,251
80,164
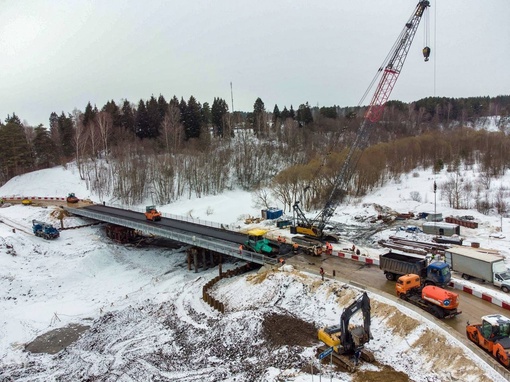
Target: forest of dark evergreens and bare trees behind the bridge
169,150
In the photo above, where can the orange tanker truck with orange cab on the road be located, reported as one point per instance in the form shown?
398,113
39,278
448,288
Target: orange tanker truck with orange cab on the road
439,302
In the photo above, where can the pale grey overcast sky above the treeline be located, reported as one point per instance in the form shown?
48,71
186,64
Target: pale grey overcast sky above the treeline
59,55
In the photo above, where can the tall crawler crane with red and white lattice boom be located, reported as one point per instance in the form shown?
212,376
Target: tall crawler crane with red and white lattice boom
390,71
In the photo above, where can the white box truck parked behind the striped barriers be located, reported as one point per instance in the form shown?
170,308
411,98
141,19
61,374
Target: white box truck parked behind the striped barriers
486,265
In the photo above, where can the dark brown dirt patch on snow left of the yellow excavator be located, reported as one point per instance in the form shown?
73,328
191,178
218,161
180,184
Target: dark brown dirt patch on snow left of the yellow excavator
287,330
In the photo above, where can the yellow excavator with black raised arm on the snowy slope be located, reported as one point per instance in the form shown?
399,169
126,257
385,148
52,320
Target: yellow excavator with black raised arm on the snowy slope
348,342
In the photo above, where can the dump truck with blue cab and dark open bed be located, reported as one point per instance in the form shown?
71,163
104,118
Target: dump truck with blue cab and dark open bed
396,264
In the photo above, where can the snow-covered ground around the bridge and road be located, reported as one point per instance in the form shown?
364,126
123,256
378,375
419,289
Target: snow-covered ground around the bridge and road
147,318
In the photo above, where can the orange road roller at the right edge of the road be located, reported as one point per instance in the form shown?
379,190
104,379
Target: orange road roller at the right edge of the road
492,335
